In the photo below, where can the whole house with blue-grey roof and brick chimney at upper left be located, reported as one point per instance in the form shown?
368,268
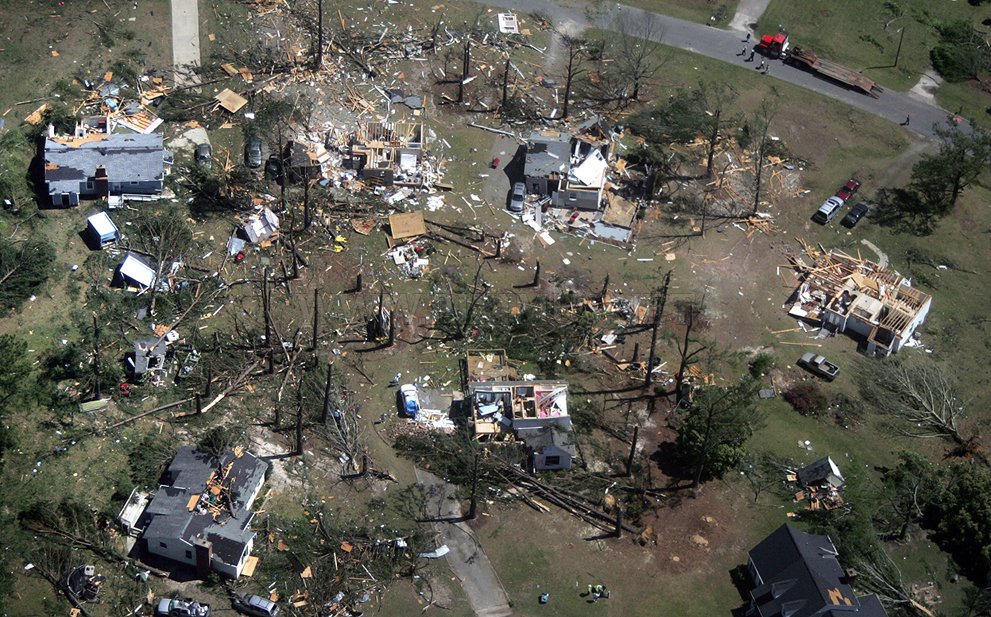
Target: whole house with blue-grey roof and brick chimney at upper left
99,166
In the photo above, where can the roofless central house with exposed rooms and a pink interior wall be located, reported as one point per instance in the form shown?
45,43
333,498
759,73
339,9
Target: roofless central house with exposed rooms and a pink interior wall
533,413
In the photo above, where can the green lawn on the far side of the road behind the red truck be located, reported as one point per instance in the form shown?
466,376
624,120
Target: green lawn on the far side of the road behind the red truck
865,35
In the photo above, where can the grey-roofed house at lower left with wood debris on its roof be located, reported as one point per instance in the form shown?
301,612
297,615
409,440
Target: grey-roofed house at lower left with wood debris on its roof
201,514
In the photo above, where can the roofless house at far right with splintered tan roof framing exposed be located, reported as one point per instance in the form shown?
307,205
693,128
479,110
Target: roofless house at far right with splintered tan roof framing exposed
847,294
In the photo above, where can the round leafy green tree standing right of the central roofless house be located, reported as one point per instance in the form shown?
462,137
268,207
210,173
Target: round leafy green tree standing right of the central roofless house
712,437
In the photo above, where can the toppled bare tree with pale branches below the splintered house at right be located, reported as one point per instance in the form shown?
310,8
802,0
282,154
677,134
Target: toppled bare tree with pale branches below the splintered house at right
920,396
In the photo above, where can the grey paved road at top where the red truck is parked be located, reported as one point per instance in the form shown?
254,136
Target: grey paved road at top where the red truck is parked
725,44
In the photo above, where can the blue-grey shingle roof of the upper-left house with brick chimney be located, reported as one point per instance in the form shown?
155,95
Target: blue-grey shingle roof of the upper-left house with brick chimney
127,158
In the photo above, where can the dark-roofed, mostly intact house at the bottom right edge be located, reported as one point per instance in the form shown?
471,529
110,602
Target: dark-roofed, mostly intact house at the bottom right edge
796,574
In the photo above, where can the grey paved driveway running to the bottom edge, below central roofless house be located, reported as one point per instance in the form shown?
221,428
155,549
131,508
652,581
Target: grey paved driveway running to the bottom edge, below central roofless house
466,559
